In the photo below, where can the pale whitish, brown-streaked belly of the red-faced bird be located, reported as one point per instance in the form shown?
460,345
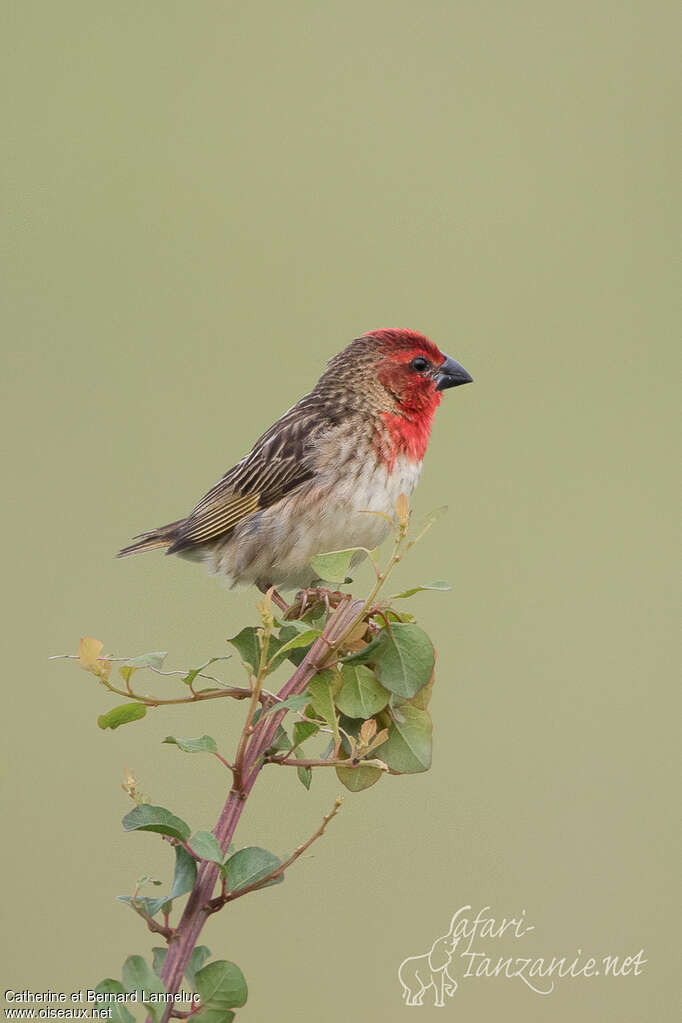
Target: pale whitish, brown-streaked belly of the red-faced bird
276,547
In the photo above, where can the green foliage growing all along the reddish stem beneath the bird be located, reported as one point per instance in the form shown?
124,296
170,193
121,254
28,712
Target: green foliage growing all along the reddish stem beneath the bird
362,709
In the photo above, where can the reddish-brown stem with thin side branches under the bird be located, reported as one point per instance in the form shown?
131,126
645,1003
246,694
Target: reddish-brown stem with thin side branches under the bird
343,614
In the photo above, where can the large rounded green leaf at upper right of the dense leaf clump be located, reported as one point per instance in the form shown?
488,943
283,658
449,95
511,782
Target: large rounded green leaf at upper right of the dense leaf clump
403,658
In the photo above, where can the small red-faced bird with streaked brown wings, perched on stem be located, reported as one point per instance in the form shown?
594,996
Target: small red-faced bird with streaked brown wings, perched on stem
351,447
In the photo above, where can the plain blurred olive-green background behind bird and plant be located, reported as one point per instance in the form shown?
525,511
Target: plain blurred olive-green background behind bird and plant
205,202
